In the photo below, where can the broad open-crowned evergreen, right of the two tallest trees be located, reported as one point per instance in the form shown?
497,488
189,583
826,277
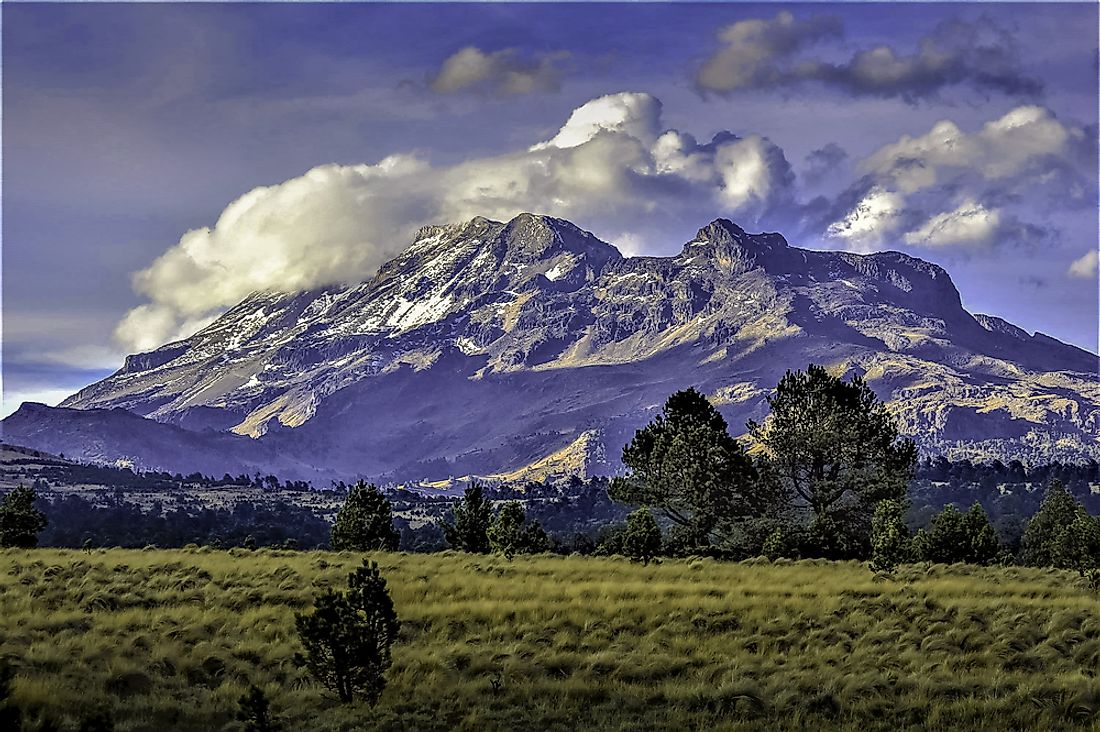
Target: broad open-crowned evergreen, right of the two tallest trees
834,452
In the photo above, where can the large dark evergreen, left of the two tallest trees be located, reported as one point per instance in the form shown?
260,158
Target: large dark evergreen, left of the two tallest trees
687,465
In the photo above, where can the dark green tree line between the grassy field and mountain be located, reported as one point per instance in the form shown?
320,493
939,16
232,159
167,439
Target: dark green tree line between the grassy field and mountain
809,482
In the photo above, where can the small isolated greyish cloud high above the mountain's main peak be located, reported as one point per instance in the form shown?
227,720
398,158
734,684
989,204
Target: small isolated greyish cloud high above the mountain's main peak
504,72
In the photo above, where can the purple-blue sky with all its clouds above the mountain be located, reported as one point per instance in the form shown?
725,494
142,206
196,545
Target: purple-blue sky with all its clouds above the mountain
965,135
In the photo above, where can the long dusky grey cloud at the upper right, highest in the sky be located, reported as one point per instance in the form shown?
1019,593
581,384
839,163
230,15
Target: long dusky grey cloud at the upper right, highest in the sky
762,54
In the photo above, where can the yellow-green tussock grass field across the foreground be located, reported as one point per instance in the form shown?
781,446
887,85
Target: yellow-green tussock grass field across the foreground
169,640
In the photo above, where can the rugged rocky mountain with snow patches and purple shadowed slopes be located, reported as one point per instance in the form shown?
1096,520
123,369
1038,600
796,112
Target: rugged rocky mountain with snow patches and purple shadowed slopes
501,348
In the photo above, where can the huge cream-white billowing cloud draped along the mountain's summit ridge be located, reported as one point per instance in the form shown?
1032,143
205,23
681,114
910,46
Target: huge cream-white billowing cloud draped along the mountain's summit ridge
611,167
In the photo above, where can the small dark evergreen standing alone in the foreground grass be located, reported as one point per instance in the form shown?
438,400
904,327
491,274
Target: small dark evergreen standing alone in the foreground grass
349,636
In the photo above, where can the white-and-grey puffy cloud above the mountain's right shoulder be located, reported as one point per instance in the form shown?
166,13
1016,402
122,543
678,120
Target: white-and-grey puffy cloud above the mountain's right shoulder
952,188
